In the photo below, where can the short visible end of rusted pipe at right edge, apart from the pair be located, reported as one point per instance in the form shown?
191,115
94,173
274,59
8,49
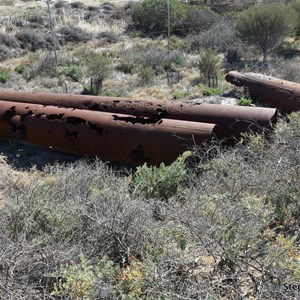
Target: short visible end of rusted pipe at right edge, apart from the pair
282,94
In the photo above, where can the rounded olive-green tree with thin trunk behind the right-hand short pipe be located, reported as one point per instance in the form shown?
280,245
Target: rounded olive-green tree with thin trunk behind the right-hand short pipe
265,26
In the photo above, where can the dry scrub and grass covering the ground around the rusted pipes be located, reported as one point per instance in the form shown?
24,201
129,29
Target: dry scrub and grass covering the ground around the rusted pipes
221,222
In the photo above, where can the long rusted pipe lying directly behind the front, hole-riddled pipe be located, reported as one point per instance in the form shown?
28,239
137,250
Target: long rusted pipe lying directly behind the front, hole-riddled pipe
232,120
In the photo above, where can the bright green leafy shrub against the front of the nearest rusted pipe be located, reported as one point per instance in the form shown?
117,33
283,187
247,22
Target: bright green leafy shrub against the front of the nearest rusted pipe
160,182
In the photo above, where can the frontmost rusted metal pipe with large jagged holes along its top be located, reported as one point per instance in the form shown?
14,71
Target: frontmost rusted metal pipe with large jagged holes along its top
115,137
